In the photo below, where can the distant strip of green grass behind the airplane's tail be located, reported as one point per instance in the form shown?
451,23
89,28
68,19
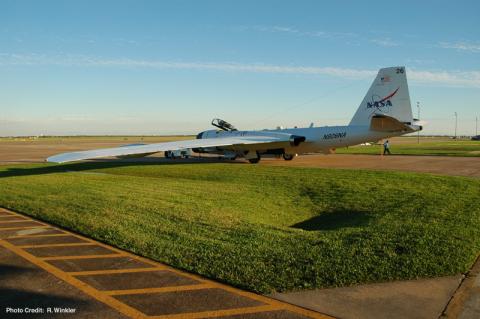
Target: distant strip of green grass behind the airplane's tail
446,147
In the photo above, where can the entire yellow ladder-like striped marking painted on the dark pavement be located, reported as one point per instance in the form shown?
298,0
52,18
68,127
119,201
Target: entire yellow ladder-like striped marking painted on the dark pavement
107,296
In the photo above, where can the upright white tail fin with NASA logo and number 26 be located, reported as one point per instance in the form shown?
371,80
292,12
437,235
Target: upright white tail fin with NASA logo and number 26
387,97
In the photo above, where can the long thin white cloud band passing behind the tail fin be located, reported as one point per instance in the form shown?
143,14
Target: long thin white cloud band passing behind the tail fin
443,78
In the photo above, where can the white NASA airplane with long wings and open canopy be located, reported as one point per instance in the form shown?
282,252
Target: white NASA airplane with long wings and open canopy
384,112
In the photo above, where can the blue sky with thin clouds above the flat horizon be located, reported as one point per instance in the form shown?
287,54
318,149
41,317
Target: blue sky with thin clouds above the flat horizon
158,67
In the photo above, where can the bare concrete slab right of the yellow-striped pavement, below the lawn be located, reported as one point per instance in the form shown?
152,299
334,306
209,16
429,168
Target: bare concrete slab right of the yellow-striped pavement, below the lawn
414,299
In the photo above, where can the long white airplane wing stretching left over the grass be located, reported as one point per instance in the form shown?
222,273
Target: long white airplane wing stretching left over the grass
168,146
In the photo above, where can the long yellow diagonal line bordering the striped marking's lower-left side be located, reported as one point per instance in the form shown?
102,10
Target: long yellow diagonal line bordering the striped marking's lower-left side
108,300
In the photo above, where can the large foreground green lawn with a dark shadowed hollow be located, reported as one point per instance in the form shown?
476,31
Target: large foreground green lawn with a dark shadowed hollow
258,227
